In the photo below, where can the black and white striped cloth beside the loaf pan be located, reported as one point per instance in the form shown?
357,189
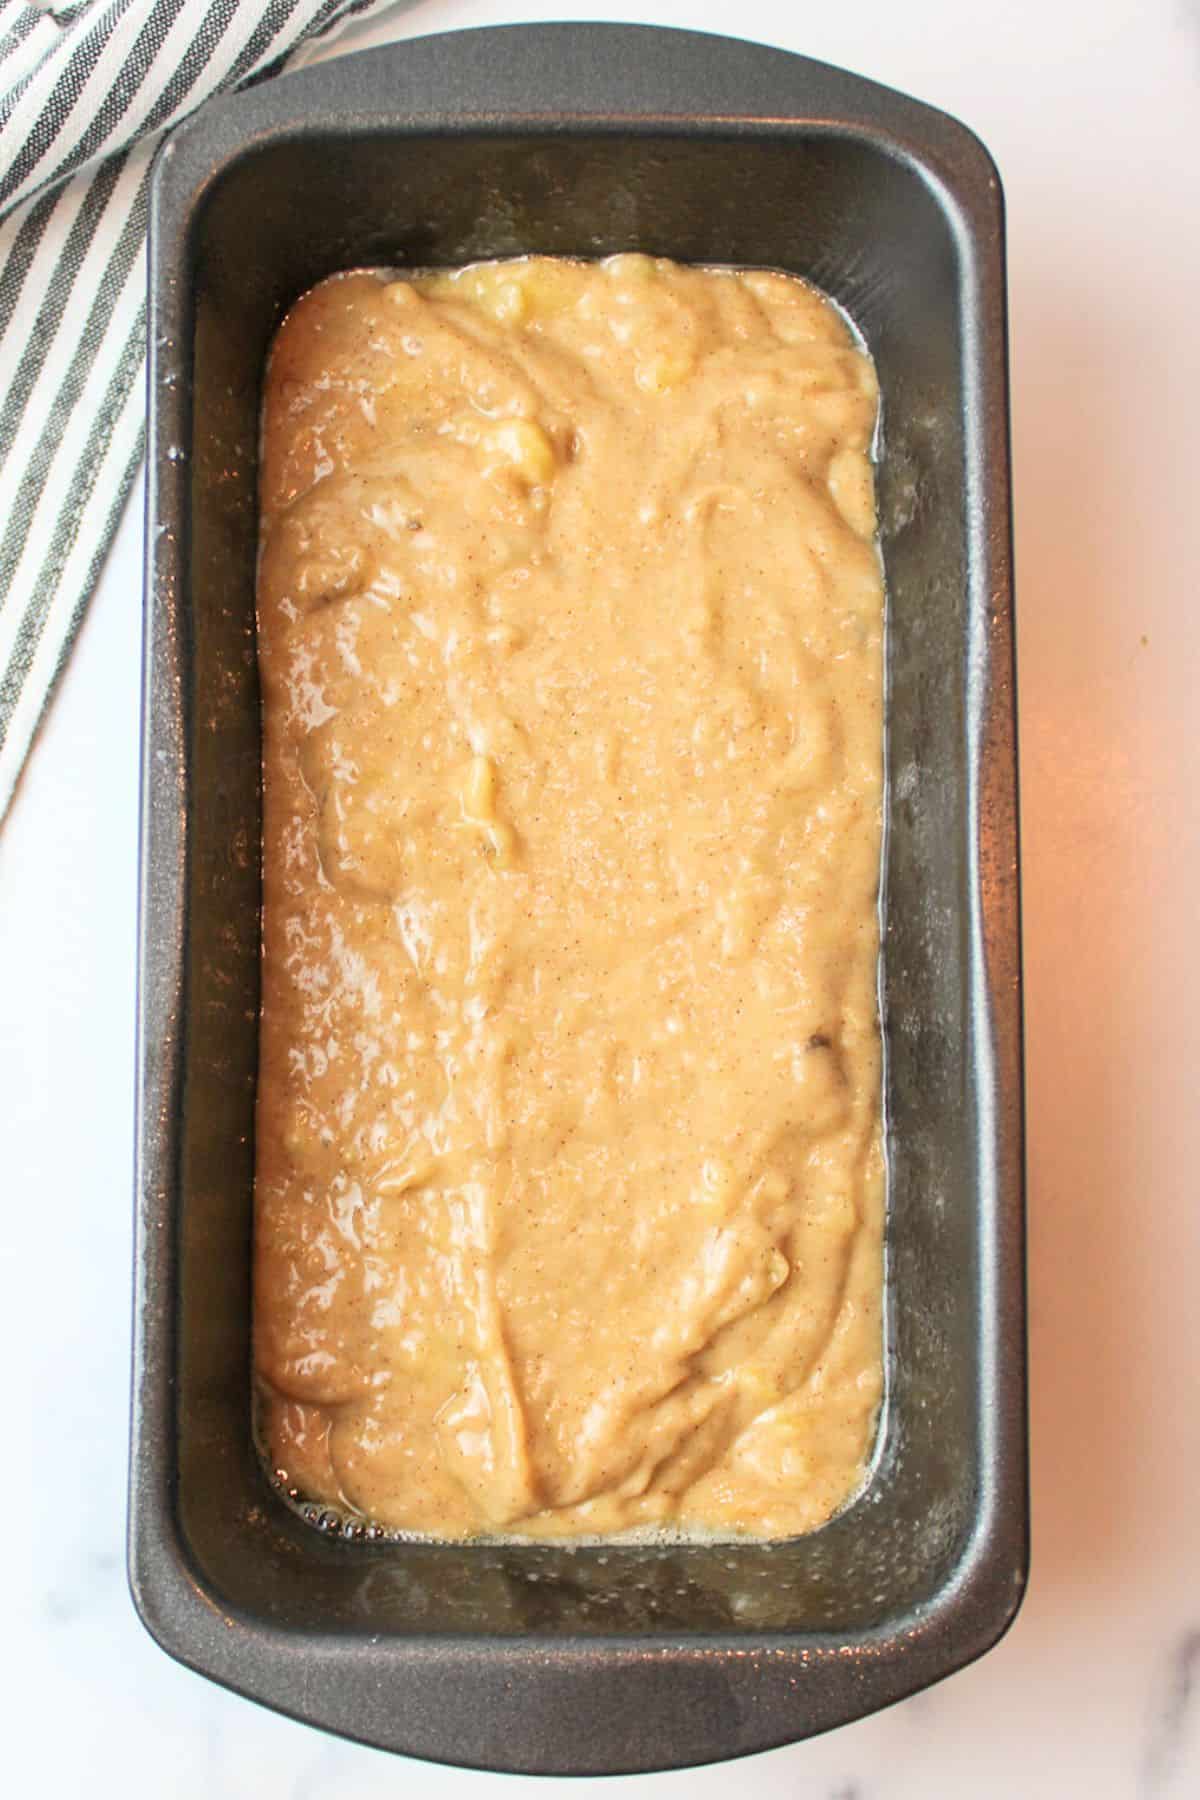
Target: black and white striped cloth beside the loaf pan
85,94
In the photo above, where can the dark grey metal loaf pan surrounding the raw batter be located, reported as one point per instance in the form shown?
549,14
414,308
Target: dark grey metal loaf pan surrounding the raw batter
586,141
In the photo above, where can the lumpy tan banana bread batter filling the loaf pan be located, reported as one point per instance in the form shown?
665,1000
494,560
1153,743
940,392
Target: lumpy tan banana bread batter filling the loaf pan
569,1156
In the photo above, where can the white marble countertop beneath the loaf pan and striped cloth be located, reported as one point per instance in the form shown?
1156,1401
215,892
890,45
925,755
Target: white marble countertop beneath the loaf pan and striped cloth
1093,111
